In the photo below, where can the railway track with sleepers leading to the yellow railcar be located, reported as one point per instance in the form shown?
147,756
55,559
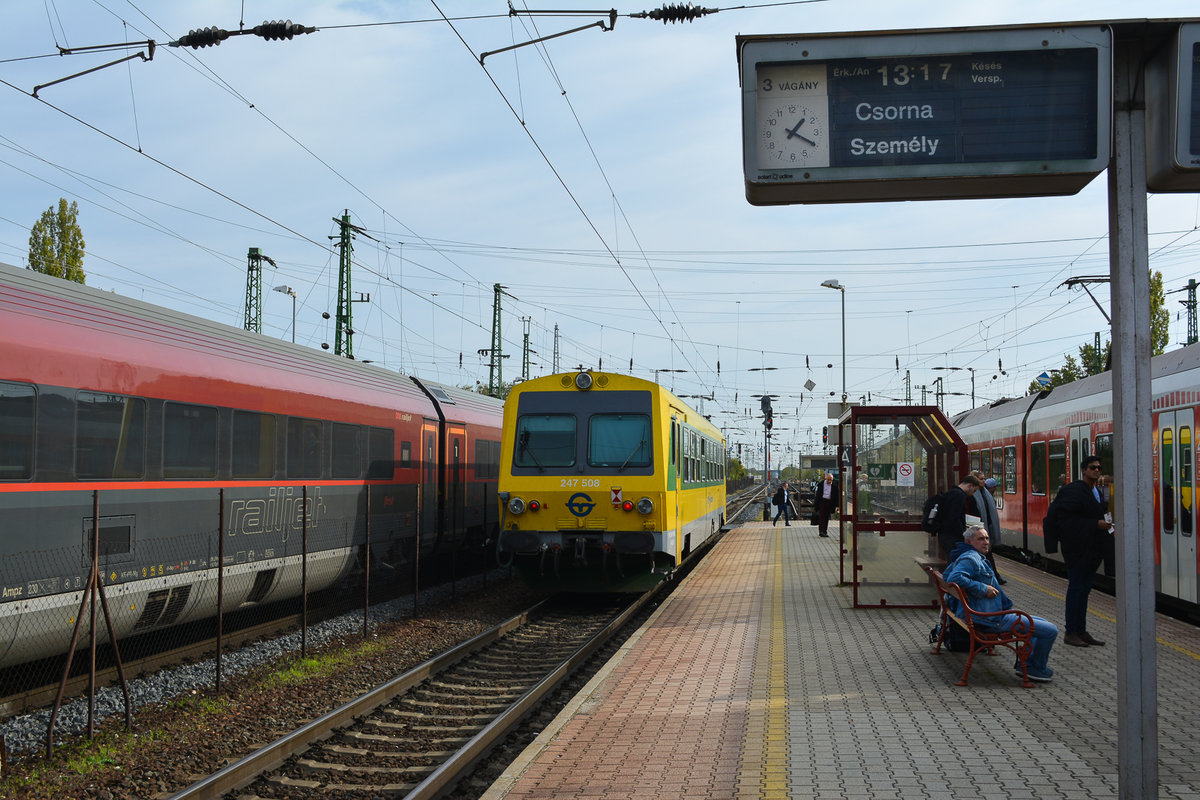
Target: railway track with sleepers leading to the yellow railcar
418,735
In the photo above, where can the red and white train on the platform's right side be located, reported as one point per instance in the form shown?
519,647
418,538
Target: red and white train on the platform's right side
1034,444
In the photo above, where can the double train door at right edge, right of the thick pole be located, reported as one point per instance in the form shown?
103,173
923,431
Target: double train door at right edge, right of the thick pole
1177,509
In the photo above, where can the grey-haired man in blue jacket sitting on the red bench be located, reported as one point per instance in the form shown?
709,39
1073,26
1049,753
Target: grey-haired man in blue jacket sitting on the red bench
970,569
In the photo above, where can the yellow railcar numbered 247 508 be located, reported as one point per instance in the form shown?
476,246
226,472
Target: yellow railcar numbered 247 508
608,483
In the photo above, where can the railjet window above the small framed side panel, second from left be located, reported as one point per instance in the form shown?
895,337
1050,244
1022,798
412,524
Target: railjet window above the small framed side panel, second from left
110,436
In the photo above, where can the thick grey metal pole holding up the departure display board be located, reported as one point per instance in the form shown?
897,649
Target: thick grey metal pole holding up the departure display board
1130,270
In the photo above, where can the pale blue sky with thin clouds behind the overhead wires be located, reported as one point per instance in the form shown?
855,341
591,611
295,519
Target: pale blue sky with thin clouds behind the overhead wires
597,177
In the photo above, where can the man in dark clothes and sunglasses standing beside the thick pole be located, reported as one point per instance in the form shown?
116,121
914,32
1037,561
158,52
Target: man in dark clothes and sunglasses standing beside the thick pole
1079,515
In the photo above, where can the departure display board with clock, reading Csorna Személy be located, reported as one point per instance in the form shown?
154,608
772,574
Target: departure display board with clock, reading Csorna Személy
926,116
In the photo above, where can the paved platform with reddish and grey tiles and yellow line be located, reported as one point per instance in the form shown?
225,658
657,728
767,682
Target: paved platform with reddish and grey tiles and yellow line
759,679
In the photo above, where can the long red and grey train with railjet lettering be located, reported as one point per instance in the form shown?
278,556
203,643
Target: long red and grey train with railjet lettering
160,412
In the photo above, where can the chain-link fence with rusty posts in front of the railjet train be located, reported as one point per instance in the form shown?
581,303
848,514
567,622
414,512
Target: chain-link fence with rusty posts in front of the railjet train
235,567
